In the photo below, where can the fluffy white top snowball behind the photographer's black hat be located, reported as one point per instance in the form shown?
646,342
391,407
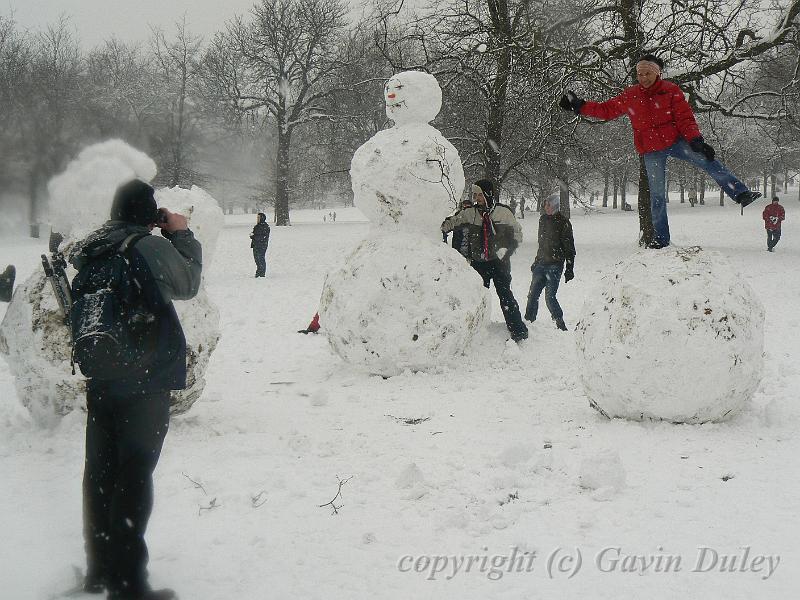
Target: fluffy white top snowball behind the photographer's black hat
80,197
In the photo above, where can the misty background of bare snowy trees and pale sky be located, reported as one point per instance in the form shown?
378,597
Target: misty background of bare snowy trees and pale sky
263,103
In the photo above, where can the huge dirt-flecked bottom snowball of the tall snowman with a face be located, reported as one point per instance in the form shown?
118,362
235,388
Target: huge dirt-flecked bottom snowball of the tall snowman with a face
400,304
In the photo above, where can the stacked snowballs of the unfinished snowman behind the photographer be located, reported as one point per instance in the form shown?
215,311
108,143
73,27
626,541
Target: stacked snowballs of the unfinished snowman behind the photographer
33,336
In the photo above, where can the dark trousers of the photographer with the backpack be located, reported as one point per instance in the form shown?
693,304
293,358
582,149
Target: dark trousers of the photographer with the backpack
124,435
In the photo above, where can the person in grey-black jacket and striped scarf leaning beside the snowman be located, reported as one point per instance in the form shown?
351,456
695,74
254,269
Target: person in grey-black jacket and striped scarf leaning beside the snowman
492,235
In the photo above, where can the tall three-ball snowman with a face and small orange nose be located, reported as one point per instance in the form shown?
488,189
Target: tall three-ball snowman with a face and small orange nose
403,299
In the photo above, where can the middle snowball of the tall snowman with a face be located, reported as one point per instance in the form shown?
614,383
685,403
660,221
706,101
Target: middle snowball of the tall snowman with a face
407,178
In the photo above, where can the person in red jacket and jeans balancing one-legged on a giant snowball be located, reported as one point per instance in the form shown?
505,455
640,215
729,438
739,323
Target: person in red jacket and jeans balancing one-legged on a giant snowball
663,125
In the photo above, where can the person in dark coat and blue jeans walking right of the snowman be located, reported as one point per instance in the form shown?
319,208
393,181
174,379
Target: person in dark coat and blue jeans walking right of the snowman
556,249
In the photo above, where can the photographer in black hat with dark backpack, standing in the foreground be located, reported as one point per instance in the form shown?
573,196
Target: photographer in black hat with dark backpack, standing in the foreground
128,342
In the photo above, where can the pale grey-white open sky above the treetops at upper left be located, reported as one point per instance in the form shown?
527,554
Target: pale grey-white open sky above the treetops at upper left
127,20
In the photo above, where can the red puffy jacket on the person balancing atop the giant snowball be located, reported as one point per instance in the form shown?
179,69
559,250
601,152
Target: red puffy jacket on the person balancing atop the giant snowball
659,115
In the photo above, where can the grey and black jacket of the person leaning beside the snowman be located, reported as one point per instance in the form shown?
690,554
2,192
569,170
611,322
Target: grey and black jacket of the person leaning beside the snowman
483,239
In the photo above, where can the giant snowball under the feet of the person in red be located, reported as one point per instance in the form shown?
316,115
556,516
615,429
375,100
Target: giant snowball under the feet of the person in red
673,335
